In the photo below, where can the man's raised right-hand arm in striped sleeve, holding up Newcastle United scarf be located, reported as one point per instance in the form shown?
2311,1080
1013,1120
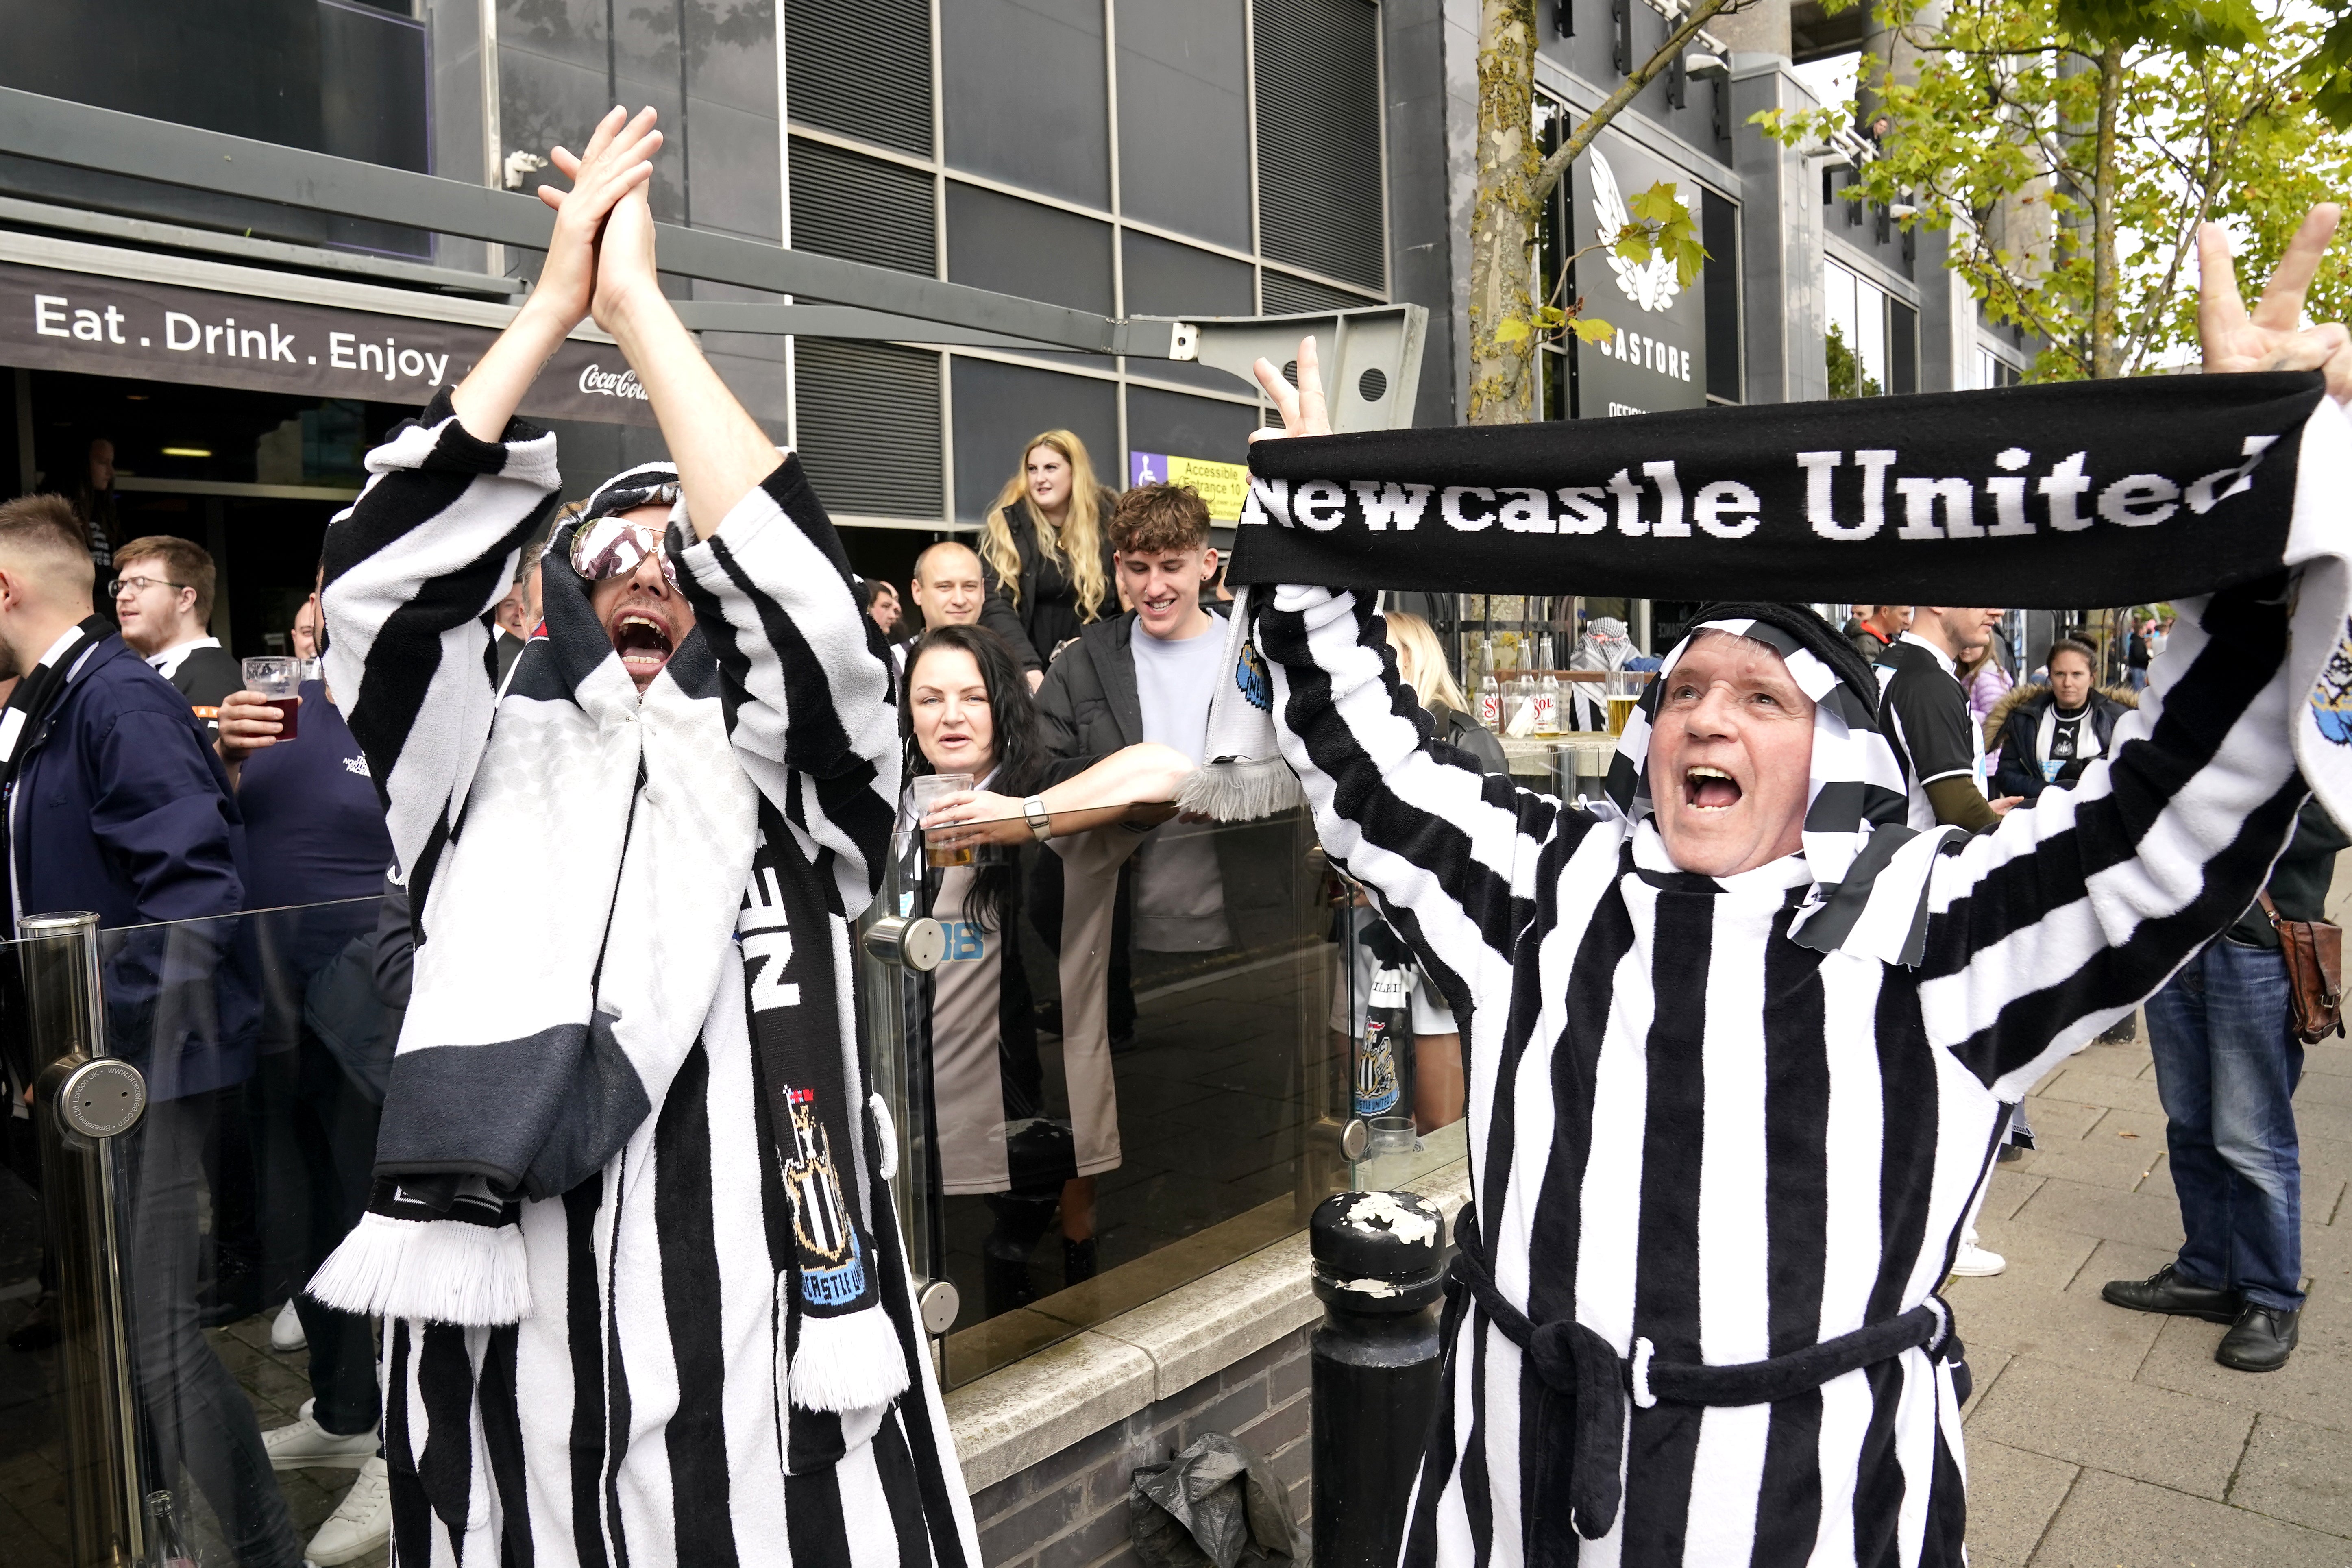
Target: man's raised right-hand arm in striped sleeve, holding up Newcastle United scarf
2080,906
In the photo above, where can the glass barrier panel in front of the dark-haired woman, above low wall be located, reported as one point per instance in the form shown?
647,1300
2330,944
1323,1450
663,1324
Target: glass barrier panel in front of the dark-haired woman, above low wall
1130,1073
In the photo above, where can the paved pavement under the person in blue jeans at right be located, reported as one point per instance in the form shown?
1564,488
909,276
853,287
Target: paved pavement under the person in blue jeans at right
2113,1440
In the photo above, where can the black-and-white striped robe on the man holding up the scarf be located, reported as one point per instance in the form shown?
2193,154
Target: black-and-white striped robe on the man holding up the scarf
1692,1130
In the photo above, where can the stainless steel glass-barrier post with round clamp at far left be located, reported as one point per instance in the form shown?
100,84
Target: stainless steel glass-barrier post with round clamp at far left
81,1101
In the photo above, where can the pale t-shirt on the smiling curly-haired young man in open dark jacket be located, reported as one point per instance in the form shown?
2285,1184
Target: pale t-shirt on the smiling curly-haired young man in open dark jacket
1180,897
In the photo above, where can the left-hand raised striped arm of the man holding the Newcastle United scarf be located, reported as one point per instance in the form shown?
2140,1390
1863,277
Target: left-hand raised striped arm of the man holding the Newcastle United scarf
1450,852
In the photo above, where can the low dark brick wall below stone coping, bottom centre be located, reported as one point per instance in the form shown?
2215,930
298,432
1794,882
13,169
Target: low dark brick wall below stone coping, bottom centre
1069,1510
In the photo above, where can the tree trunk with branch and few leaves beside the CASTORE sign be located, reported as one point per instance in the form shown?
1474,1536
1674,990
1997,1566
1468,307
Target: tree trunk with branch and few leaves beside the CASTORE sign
1514,182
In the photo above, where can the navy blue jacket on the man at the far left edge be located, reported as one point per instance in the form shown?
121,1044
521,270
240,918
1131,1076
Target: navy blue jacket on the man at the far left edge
123,810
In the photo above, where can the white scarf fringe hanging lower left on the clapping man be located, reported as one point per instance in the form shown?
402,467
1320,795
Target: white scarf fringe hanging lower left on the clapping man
429,1271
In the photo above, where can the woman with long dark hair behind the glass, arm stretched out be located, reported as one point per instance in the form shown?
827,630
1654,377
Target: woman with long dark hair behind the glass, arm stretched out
968,711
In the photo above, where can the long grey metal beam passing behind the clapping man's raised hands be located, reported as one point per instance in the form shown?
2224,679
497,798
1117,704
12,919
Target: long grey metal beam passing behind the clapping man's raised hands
53,130
